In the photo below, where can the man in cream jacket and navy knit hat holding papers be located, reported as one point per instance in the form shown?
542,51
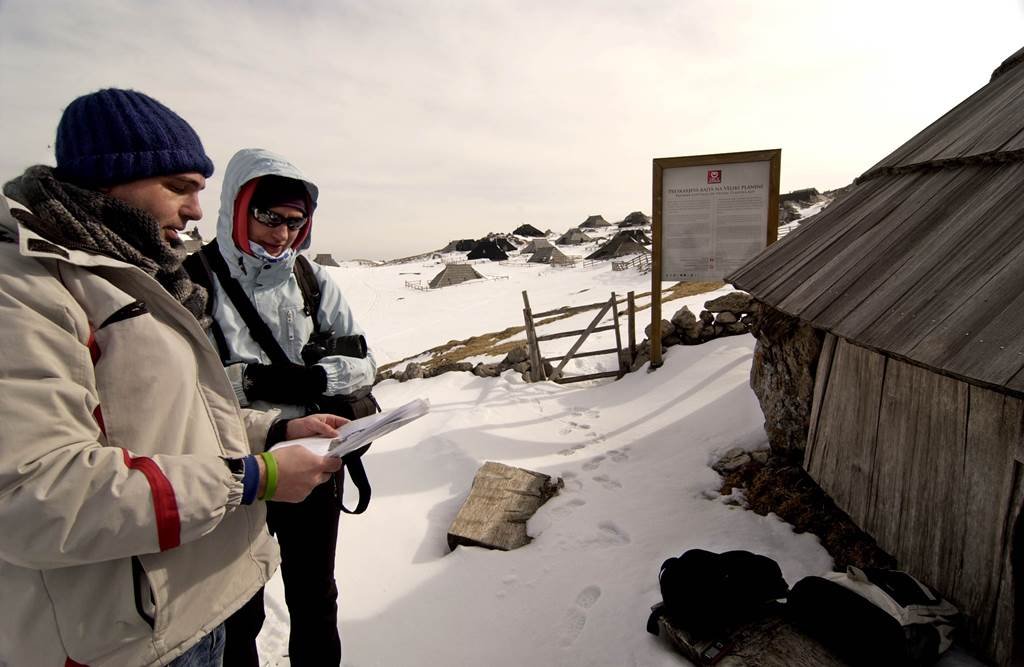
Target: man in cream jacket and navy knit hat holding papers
131,479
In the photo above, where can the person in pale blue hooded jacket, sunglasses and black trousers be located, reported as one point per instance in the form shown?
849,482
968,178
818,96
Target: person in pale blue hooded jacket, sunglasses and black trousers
266,220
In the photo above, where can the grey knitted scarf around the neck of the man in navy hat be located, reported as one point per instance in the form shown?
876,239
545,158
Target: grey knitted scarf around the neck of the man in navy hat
90,221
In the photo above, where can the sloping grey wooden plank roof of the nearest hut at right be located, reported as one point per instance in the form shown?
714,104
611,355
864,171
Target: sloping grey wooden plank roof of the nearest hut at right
924,259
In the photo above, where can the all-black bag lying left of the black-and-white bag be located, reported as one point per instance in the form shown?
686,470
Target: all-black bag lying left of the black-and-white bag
709,594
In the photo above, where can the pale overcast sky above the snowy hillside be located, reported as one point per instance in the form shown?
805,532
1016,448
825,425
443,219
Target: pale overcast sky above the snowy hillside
424,121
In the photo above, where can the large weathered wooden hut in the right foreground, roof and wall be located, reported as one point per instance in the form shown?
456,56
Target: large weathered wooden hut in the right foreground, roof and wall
914,284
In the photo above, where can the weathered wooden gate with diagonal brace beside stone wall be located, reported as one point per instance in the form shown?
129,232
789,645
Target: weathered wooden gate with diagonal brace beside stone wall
537,360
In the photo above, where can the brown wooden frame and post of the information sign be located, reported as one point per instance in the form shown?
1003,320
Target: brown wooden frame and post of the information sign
661,165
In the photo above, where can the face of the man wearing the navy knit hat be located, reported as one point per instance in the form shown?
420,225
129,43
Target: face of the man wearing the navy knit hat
173,200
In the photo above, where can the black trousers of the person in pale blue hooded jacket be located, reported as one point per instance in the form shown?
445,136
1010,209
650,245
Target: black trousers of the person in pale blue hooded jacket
308,534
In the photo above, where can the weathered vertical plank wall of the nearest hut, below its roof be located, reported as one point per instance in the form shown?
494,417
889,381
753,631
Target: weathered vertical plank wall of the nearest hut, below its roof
926,465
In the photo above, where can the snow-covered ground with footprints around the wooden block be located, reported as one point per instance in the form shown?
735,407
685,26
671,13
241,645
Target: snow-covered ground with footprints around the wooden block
634,455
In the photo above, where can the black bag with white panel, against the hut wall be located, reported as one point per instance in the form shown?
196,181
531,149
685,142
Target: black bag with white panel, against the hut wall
874,617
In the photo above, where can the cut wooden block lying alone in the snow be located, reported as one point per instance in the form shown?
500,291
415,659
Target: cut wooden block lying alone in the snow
501,502
